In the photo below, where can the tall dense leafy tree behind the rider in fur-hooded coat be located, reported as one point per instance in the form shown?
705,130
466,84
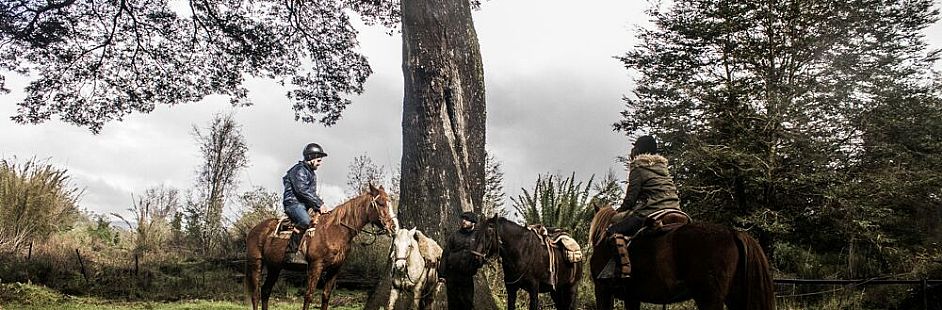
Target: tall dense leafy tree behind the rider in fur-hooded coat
766,107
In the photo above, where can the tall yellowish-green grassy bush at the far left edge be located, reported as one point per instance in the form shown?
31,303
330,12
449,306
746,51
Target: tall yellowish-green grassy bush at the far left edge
36,200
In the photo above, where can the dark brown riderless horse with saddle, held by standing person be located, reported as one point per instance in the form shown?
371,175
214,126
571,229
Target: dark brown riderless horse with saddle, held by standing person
526,263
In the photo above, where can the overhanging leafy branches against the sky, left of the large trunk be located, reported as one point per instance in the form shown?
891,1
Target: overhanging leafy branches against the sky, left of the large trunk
97,61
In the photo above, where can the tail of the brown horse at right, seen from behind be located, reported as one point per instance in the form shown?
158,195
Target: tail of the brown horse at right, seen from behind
755,277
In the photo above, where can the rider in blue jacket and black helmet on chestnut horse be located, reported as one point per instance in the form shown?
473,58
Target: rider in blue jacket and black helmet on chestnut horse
300,196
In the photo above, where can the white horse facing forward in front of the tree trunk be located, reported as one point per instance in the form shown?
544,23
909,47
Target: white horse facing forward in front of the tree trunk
414,269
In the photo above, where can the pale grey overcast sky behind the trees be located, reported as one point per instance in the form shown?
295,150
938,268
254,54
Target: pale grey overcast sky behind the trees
553,91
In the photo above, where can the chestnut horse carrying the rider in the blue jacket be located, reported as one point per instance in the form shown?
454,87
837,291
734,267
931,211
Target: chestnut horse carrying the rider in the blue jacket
325,251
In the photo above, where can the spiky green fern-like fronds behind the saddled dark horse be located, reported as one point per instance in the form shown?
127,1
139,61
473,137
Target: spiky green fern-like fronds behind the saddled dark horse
565,203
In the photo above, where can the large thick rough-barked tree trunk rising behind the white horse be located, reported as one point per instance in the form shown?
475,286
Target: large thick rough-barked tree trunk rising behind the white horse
443,115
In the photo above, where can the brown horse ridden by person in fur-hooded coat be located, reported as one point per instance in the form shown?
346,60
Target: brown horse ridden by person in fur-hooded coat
708,263
